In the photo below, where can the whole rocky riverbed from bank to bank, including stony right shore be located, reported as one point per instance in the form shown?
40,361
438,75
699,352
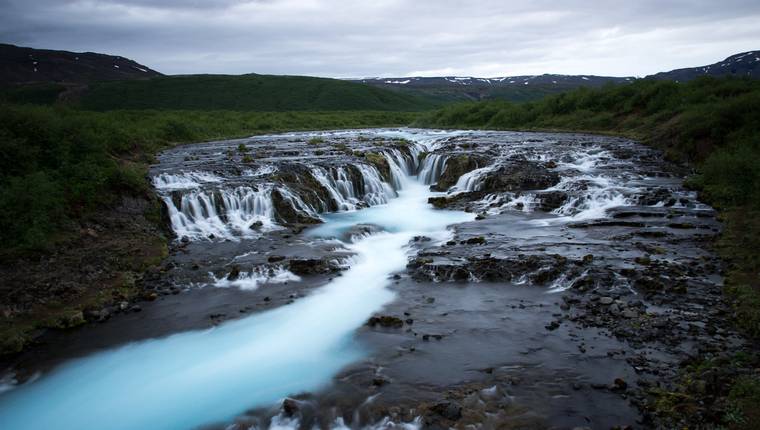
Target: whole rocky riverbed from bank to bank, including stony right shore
545,281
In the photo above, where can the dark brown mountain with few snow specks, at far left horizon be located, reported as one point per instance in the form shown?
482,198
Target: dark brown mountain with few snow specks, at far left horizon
28,65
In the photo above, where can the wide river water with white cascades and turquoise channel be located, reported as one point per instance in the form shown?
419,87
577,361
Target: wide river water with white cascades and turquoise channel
354,212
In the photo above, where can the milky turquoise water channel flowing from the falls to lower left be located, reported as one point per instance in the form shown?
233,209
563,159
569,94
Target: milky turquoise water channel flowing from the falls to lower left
202,377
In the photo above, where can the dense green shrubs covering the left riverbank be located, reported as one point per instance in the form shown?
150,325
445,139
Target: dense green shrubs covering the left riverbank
57,164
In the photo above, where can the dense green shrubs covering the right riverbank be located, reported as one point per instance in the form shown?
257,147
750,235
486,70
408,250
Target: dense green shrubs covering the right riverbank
712,123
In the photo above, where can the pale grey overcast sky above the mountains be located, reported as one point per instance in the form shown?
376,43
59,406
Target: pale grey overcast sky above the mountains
389,38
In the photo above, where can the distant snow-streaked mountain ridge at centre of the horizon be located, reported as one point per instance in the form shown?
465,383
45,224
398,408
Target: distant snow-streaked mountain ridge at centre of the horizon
514,88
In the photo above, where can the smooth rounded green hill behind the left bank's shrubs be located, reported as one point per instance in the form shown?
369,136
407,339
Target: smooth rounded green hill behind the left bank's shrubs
246,93
